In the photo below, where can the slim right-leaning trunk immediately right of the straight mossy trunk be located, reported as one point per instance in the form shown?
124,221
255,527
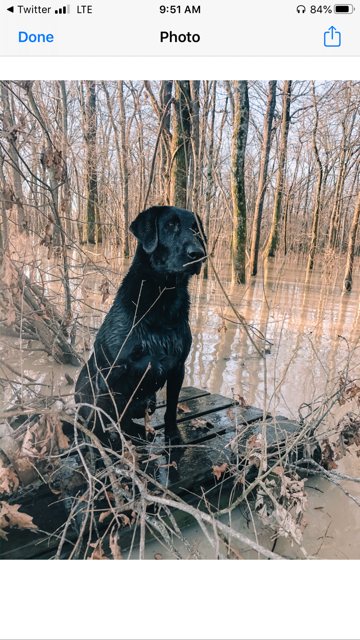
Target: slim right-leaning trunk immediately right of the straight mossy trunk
255,238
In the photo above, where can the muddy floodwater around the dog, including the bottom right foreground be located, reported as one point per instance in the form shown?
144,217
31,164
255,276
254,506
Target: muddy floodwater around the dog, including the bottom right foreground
310,330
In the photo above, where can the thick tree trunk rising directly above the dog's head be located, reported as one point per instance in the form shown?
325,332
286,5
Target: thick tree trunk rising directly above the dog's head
179,147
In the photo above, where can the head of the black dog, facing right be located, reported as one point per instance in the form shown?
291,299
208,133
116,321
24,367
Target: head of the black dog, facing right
172,238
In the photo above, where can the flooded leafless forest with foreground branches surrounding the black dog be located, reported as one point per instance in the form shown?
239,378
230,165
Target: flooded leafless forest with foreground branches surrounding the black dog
273,171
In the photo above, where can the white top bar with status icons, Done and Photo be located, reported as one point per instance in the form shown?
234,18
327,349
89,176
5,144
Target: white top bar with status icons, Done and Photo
205,28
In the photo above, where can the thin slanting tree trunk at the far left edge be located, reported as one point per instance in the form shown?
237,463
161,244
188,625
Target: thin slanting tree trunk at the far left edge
9,123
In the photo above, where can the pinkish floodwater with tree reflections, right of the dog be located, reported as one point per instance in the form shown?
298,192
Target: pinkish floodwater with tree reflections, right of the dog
303,321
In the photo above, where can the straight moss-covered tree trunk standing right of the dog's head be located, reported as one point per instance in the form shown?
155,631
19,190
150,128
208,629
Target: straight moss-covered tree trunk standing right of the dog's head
239,140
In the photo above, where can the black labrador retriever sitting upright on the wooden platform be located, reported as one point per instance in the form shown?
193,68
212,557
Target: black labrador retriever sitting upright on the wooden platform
145,338
